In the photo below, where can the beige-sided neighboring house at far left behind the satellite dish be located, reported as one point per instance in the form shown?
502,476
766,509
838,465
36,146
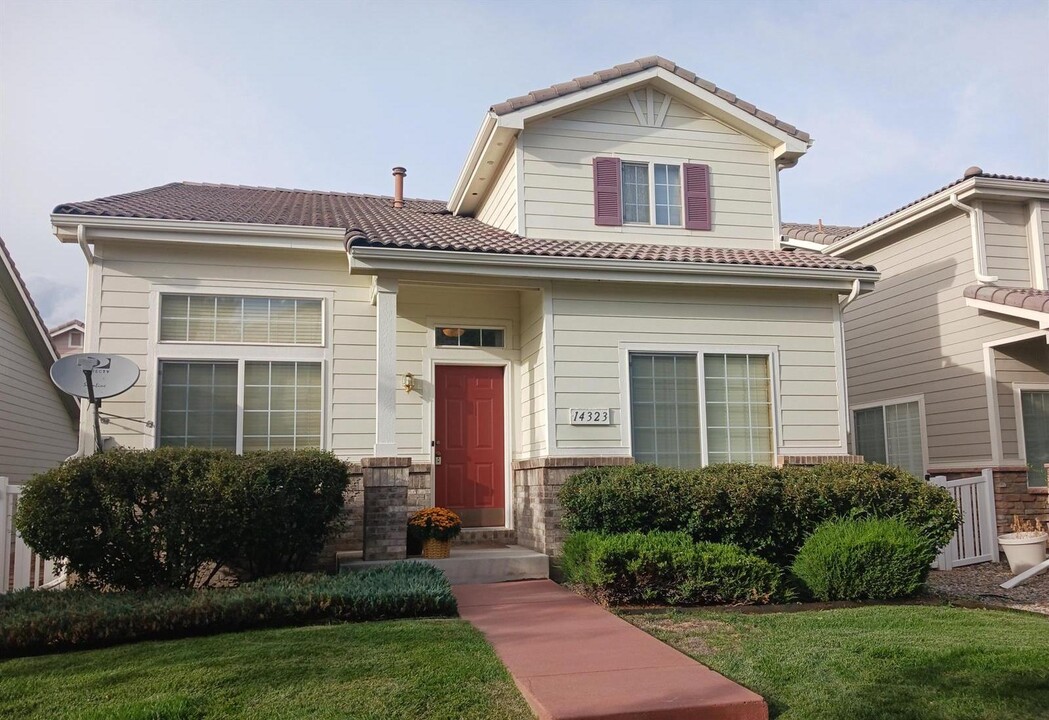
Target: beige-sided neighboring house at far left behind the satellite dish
38,422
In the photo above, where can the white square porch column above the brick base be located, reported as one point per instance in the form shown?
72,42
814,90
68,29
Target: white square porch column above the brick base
387,380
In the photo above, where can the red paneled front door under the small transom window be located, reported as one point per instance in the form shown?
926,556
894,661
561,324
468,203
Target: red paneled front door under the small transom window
469,452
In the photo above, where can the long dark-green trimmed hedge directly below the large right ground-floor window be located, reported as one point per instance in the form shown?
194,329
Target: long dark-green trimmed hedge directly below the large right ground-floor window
765,511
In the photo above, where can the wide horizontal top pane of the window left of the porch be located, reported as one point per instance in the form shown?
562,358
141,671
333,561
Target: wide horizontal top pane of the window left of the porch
232,320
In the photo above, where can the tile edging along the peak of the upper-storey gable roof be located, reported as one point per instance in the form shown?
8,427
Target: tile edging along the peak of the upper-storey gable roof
562,90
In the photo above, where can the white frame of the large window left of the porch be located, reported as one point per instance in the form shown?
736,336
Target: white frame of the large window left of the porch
241,353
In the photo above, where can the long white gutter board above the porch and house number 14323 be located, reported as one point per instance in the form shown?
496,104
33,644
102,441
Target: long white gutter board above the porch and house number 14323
372,261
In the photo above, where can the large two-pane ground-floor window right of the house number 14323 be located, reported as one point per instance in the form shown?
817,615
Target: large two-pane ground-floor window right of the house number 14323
667,399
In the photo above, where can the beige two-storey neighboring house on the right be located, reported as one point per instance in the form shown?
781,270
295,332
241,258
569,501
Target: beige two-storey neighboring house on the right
949,359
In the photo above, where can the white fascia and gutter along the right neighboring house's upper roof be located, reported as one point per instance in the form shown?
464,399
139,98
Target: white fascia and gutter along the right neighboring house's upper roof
987,188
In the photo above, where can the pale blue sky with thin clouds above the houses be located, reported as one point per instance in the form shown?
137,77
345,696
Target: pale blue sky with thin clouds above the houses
101,98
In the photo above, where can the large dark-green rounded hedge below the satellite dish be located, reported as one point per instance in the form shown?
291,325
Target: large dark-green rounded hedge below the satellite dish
168,518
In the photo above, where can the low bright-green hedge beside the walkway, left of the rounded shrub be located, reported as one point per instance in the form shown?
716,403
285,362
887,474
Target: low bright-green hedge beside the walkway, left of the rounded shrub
668,567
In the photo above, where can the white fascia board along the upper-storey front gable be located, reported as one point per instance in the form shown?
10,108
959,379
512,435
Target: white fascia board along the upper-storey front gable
781,142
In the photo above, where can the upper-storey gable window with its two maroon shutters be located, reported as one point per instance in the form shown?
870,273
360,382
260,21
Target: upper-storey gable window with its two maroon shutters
652,194
